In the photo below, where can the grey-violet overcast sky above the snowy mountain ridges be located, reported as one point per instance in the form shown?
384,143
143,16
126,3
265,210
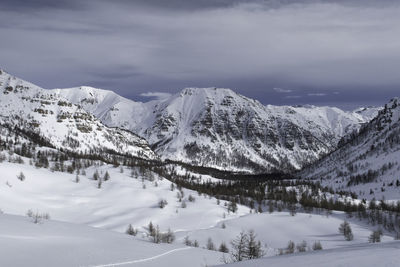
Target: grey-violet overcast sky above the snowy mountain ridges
343,53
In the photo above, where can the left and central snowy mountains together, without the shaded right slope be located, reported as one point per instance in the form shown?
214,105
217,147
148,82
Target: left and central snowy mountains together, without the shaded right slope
211,127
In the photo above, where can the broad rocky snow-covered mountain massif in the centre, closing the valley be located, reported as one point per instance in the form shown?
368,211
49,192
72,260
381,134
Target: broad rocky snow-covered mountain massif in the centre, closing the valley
220,128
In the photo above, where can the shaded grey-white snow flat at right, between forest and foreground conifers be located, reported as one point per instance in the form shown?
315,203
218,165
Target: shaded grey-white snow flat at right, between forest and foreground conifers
276,229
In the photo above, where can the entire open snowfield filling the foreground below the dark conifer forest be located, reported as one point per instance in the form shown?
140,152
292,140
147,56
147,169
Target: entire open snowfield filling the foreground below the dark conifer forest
94,221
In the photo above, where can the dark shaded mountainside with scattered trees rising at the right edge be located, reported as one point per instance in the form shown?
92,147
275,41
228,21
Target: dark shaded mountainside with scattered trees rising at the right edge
367,161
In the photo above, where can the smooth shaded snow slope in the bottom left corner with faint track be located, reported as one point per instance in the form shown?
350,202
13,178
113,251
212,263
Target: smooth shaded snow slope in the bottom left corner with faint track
53,243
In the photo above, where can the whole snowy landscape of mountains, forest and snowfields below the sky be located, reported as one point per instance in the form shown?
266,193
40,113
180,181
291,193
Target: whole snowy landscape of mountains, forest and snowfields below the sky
89,178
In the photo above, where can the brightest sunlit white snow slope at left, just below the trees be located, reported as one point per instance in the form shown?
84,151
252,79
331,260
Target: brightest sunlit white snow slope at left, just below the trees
121,200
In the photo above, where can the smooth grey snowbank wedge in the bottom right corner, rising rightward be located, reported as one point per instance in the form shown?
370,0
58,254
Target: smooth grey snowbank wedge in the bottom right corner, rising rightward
366,255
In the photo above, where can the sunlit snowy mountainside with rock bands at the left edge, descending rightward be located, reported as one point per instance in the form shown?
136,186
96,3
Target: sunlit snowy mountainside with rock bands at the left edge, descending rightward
64,125
